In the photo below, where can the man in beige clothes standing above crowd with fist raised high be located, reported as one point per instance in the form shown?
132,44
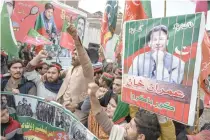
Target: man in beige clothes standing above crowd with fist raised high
74,88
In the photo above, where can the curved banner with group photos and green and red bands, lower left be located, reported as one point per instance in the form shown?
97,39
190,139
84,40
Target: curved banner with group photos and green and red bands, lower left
42,120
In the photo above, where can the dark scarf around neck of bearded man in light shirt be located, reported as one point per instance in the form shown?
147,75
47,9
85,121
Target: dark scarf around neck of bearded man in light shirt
53,87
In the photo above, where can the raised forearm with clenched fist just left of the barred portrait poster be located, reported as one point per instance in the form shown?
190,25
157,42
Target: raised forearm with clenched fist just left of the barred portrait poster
100,115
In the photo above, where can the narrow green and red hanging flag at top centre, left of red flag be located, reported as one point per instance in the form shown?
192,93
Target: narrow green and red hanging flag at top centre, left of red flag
109,21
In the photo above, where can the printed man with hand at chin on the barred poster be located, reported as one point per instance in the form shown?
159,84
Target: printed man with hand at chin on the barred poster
158,63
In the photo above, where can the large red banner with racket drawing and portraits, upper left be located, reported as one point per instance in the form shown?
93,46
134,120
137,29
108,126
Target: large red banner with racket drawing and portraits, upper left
32,14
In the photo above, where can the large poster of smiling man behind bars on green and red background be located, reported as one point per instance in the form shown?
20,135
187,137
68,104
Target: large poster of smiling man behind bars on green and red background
161,64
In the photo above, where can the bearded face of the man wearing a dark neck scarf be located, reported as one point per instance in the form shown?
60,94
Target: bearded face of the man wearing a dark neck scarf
52,74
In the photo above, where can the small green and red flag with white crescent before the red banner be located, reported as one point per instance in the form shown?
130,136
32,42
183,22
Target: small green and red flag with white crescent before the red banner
34,38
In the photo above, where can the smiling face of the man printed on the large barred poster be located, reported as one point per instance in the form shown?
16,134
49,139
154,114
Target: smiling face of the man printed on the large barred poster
158,41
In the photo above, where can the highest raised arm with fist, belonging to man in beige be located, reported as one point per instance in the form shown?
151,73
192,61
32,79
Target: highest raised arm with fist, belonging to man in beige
83,56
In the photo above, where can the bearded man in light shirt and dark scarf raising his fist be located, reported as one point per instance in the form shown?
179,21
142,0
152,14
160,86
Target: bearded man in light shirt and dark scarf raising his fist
50,87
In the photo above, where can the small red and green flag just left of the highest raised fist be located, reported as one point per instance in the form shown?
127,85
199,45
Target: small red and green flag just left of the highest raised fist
66,40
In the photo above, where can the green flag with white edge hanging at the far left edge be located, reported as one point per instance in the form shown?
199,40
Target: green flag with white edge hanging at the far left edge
8,41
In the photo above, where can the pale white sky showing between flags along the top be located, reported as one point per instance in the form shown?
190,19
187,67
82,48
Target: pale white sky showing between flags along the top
174,7
